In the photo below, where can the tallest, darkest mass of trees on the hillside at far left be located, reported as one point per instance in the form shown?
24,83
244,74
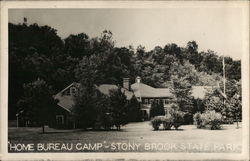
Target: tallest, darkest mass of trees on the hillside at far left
31,49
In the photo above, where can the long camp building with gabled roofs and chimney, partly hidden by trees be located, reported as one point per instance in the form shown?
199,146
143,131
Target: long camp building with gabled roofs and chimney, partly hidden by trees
145,94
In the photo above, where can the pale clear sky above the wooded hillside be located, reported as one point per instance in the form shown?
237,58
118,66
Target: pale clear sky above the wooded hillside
212,28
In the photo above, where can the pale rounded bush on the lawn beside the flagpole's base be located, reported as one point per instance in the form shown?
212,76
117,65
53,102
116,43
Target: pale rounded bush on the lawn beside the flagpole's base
209,119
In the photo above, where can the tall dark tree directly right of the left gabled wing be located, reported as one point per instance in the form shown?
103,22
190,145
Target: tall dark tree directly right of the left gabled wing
88,97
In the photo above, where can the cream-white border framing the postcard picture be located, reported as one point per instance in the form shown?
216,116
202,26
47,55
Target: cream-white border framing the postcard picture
244,5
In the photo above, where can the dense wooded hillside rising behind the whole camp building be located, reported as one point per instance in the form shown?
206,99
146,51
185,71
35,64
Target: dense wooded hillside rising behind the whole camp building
37,51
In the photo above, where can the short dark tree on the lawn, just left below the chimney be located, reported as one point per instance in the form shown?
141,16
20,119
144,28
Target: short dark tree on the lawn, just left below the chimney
118,103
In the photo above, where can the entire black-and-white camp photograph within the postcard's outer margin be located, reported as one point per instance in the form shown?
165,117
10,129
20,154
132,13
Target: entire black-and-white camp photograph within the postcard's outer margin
126,80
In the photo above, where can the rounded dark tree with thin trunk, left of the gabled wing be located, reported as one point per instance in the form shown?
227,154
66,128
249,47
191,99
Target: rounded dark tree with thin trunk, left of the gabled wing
37,103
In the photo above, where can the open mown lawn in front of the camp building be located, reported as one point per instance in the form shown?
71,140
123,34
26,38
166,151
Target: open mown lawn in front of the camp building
134,137
